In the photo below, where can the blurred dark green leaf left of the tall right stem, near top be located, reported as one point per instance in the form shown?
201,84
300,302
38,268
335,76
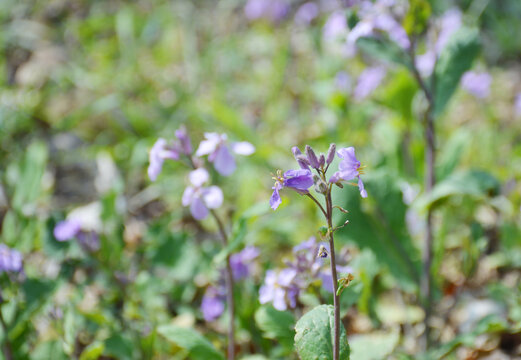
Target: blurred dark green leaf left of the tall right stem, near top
383,49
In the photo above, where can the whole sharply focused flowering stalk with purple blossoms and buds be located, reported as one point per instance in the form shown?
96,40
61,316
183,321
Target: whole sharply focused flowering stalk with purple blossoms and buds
301,181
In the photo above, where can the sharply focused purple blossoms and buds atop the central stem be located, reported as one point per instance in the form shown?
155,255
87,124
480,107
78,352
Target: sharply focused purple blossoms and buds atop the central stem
302,179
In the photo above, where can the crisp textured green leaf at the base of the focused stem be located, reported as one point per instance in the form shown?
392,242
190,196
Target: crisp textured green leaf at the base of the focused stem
315,334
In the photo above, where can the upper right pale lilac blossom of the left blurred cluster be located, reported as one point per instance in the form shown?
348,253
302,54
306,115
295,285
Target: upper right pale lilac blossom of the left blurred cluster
218,151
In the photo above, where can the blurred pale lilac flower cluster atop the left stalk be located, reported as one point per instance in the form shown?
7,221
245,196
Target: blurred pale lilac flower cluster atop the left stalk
200,198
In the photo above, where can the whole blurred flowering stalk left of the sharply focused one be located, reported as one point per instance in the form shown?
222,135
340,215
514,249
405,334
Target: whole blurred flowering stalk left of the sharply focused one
204,200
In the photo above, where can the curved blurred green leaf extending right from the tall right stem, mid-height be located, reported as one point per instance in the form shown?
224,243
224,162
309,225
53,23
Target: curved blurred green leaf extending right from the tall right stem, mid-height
472,183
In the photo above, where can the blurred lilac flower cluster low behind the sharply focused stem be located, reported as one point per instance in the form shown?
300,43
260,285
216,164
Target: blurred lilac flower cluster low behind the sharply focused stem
282,287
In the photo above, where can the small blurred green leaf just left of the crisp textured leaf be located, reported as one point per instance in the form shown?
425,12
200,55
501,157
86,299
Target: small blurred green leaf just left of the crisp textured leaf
277,325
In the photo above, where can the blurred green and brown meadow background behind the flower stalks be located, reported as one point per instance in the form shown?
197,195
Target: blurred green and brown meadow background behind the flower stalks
87,87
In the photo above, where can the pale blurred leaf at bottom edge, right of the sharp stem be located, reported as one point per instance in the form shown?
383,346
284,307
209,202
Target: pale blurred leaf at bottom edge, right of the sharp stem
374,346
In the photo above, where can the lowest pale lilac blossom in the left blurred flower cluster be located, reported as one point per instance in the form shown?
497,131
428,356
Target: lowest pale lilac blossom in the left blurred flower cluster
200,198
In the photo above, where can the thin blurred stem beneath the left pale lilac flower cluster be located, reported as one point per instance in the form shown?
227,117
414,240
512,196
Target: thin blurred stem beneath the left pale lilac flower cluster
229,289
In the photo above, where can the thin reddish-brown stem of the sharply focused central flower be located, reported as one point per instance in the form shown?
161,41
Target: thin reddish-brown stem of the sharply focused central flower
336,298
